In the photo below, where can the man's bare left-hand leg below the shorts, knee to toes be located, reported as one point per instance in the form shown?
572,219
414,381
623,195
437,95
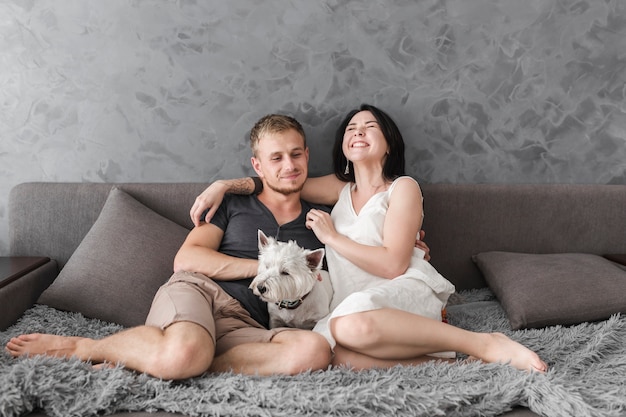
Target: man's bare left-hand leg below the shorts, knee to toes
180,351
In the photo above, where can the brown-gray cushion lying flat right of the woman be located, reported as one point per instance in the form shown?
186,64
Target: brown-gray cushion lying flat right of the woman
538,290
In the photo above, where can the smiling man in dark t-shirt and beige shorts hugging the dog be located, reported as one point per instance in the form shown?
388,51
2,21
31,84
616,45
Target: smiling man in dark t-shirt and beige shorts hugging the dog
195,324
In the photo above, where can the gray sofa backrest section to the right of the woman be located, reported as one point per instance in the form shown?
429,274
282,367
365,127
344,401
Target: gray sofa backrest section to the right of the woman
462,220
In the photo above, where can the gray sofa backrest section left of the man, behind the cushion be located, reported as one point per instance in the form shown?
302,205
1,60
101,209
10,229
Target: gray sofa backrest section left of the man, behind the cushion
51,219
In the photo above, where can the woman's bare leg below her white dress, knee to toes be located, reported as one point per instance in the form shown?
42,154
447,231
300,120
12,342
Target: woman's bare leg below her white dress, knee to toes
390,334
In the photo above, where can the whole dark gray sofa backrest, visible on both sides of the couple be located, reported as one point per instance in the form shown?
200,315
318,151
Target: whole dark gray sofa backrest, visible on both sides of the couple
461,220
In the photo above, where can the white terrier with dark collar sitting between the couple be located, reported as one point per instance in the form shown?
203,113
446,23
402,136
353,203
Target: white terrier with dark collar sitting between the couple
291,281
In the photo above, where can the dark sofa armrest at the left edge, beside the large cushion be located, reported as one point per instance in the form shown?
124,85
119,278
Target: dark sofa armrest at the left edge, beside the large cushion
22,292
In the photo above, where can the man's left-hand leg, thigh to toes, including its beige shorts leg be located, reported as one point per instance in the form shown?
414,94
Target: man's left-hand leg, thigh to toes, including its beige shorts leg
175,343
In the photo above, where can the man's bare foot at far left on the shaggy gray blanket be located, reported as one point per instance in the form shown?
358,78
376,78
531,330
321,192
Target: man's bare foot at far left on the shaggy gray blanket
42,344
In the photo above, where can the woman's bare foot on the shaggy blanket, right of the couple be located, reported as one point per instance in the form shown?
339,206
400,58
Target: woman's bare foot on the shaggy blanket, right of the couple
501,349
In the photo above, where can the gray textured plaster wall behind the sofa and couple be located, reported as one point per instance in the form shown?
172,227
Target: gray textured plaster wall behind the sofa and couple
483,90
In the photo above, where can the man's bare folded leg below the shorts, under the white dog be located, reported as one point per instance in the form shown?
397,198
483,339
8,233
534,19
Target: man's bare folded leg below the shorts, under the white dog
289,352
